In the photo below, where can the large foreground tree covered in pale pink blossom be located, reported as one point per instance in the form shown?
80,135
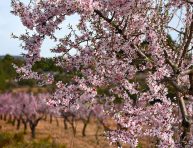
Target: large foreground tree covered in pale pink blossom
125,60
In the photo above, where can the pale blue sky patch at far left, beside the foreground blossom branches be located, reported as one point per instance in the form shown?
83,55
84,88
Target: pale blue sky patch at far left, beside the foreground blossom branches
9,24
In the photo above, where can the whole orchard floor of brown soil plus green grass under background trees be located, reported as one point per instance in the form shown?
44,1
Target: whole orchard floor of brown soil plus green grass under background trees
55,136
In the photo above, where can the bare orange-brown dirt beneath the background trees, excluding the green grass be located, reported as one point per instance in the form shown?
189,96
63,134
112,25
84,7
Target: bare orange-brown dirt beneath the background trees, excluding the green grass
58,134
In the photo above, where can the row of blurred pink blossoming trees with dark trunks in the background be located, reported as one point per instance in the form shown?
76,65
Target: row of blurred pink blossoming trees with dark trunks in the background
29,109
